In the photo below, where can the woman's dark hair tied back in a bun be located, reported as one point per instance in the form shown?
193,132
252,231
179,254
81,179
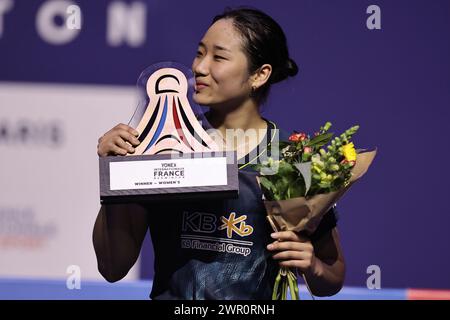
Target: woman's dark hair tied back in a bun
264,42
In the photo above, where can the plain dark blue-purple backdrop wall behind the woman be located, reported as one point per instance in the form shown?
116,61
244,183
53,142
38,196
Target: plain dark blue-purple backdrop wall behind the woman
393,82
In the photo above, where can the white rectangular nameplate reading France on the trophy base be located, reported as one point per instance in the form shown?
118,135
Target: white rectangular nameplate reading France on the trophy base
172,173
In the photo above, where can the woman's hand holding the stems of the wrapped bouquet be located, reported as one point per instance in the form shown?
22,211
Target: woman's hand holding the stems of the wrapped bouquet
293,251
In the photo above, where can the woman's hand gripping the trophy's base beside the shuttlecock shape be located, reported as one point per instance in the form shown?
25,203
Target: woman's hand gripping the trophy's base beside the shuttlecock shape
120,140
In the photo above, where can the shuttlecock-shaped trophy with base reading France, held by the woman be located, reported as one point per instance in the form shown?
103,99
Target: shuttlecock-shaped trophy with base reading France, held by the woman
176,157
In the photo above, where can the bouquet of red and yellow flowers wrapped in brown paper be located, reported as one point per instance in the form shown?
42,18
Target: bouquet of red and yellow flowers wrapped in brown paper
309,177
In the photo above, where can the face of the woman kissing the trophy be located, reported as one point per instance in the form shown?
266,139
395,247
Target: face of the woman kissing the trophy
221,67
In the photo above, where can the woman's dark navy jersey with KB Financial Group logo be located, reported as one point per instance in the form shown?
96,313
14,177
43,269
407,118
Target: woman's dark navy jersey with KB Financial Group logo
216,249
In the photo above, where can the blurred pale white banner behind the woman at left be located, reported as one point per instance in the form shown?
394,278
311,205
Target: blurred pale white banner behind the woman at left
49,178
